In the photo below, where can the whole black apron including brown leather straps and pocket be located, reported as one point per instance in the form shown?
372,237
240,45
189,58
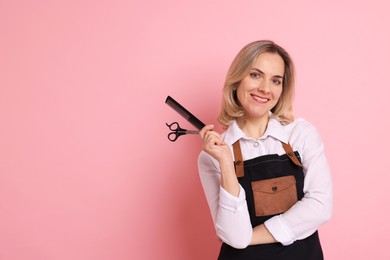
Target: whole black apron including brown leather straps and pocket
272,184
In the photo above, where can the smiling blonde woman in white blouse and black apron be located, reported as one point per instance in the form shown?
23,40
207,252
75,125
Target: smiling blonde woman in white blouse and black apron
266,179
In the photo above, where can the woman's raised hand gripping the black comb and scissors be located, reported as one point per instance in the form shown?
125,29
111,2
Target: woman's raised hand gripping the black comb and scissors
214,145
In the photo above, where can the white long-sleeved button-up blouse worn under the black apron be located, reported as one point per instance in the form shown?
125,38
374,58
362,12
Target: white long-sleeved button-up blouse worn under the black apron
230,214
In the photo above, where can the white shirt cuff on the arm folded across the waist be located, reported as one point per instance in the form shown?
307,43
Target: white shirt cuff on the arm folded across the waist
279,230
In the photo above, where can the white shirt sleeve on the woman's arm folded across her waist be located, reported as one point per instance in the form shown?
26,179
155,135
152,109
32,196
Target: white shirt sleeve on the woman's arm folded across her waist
315,208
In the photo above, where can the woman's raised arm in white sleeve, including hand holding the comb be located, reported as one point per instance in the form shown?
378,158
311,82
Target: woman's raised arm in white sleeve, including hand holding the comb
224,194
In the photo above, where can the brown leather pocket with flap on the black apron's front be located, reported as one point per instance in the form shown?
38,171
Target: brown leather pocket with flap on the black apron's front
274,196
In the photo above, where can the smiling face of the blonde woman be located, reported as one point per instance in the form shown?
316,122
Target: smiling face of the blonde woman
260,90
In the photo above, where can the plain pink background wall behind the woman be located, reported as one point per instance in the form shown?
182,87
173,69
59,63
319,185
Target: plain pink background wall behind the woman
86,170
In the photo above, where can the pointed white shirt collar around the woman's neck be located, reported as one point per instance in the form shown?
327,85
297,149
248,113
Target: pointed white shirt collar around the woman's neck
274,129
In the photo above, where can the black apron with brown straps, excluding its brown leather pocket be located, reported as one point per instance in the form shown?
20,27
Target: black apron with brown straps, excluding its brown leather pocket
264,168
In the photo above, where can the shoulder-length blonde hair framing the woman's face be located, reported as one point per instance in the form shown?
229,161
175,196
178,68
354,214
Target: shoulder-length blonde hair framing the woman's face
240,68
